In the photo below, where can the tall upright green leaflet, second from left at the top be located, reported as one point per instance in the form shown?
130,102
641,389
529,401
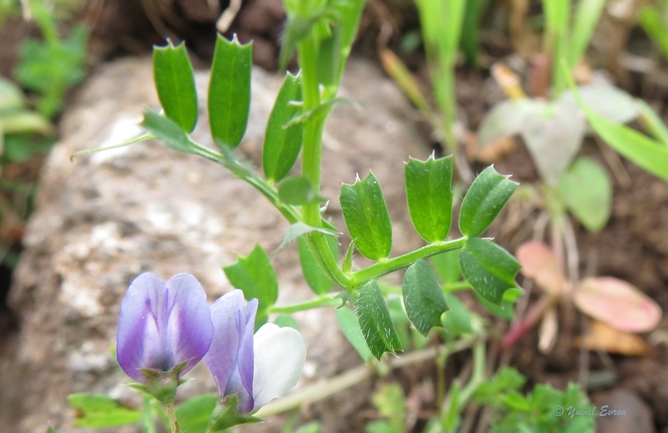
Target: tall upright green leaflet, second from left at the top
229,91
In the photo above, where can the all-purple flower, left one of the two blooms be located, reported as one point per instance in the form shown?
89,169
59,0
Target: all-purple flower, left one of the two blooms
162,326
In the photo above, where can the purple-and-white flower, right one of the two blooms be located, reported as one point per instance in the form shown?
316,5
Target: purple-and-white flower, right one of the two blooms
258,368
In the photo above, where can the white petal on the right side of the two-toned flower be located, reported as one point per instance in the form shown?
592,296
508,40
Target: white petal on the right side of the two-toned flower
279,358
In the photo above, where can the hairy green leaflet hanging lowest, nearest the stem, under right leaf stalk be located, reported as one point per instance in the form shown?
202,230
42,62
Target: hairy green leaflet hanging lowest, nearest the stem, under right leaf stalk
375,321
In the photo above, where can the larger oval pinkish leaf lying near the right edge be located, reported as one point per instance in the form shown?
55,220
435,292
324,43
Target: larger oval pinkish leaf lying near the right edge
618,304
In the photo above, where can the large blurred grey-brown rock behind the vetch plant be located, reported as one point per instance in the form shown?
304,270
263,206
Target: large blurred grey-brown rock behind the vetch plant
107,217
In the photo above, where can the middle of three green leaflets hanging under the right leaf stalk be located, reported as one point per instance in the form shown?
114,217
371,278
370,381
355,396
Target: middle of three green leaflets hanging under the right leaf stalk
423,298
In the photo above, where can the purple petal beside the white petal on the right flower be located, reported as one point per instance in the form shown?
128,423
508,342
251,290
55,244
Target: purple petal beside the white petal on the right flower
230,358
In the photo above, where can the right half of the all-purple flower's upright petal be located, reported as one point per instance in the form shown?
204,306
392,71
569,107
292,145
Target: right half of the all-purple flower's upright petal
189,330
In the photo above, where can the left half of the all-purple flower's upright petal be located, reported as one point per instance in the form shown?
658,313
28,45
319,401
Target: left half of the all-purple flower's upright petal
138,341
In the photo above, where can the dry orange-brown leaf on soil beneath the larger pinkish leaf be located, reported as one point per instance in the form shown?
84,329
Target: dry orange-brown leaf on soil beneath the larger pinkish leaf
604,337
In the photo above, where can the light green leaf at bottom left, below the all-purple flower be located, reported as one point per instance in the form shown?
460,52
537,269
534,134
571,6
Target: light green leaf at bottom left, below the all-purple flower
97,411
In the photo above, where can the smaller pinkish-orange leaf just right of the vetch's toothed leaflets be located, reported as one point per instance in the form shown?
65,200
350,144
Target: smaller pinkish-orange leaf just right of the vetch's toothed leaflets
540,264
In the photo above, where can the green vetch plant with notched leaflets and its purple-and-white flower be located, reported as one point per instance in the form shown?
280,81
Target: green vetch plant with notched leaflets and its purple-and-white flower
251,369
